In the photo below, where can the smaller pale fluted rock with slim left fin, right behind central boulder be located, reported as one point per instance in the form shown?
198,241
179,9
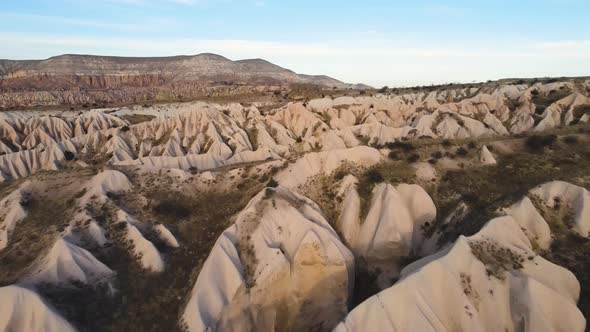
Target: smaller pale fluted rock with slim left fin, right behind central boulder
391,230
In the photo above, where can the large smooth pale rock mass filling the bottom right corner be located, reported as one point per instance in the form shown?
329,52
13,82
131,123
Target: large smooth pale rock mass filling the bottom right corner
493,280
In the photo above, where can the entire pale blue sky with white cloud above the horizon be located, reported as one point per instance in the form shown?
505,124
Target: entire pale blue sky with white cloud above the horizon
379,42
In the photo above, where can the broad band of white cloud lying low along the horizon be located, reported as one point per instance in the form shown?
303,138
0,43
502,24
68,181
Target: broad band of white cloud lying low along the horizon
373,64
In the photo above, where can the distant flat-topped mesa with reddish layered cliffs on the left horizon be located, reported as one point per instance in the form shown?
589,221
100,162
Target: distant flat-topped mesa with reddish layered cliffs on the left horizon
79,79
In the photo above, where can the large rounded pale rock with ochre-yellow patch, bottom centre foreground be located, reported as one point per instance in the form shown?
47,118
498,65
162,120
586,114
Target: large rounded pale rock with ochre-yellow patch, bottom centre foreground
279,267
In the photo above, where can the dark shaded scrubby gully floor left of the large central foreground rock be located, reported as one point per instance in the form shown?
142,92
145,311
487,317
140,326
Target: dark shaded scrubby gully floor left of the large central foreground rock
146,301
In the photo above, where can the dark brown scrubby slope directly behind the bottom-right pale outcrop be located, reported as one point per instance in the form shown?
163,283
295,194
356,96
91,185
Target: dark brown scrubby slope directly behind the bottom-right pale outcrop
487,188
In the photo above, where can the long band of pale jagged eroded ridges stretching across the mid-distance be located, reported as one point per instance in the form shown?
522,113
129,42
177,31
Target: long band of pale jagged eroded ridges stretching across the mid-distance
206,136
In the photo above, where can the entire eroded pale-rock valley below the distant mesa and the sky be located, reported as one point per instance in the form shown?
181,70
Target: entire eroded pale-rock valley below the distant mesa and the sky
358,214
